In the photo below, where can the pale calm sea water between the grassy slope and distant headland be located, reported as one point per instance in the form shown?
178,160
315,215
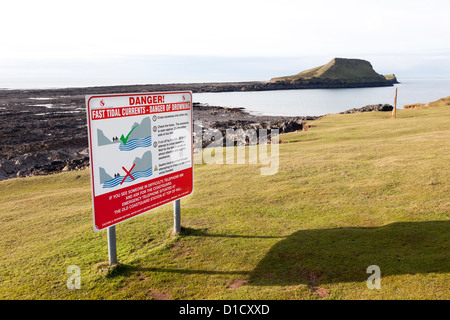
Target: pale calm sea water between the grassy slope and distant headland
316,102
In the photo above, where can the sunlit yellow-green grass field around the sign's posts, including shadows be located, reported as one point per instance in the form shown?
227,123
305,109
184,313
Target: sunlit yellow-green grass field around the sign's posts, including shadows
352,191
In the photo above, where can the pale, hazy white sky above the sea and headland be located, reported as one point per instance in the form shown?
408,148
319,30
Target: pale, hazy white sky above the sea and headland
50,43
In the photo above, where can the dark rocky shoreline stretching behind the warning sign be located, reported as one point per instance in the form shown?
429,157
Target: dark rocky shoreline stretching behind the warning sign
45,131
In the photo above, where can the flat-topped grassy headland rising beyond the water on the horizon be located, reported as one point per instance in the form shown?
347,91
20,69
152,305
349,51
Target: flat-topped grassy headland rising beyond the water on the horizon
339,72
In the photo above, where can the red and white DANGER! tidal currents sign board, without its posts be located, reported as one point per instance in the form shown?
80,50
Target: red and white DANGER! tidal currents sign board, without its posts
141,153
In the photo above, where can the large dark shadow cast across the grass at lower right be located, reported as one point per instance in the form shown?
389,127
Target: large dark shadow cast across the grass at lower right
343,255
